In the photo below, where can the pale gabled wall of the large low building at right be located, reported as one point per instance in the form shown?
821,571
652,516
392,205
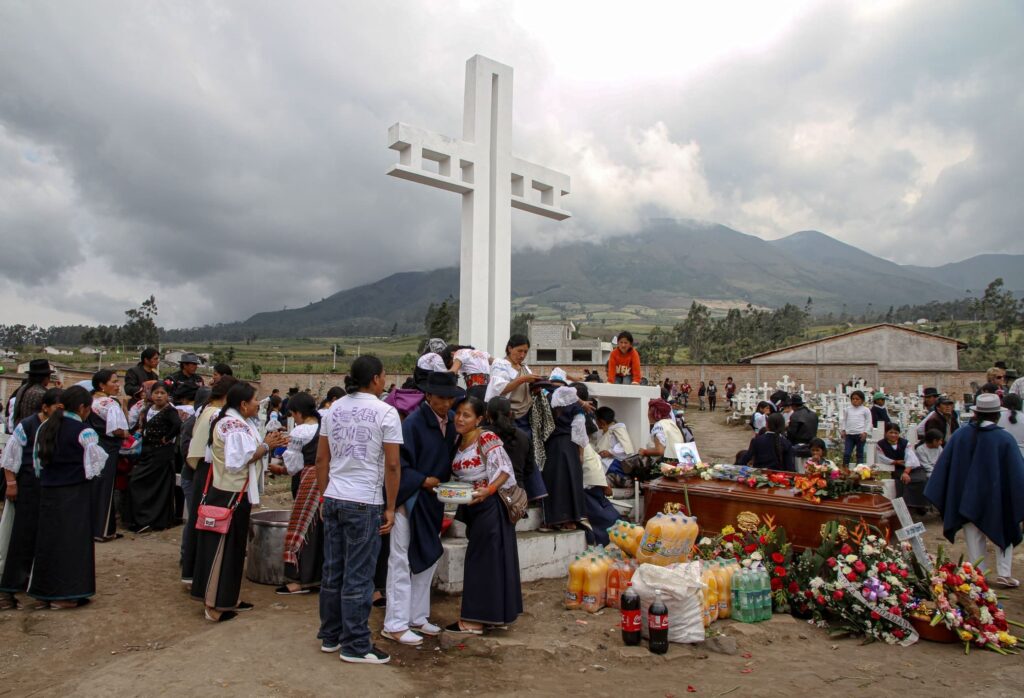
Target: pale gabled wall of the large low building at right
890,348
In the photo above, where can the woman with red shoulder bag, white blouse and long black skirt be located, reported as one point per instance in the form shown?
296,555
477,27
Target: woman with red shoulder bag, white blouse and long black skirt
232,484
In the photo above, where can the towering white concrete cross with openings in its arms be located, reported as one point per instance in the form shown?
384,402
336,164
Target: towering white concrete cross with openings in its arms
492,181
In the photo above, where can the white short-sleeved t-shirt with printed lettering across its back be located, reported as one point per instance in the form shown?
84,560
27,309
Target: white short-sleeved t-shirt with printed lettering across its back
357,428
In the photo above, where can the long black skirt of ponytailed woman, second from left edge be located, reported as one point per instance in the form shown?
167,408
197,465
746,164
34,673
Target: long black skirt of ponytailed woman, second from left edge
65,568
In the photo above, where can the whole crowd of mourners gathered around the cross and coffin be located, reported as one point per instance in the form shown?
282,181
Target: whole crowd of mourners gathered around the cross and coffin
365,463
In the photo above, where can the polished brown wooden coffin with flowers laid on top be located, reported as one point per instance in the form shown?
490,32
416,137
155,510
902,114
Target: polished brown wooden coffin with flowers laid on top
718,503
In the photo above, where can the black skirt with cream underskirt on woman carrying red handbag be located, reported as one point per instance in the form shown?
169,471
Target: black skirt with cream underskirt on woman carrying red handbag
221,558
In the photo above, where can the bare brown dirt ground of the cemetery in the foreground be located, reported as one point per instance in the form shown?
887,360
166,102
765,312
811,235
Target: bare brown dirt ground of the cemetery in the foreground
143,635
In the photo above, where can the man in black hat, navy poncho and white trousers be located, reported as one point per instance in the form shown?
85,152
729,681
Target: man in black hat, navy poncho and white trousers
429,448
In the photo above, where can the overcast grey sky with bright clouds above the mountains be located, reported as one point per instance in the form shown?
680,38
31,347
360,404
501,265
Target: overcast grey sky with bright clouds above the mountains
230,157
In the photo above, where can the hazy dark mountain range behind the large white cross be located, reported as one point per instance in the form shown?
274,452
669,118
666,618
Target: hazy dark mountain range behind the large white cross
662,270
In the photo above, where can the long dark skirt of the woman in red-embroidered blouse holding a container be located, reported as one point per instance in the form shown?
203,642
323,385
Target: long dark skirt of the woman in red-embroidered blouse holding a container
492,593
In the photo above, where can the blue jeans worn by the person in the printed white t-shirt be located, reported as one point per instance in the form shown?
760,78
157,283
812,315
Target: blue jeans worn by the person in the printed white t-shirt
352,543
